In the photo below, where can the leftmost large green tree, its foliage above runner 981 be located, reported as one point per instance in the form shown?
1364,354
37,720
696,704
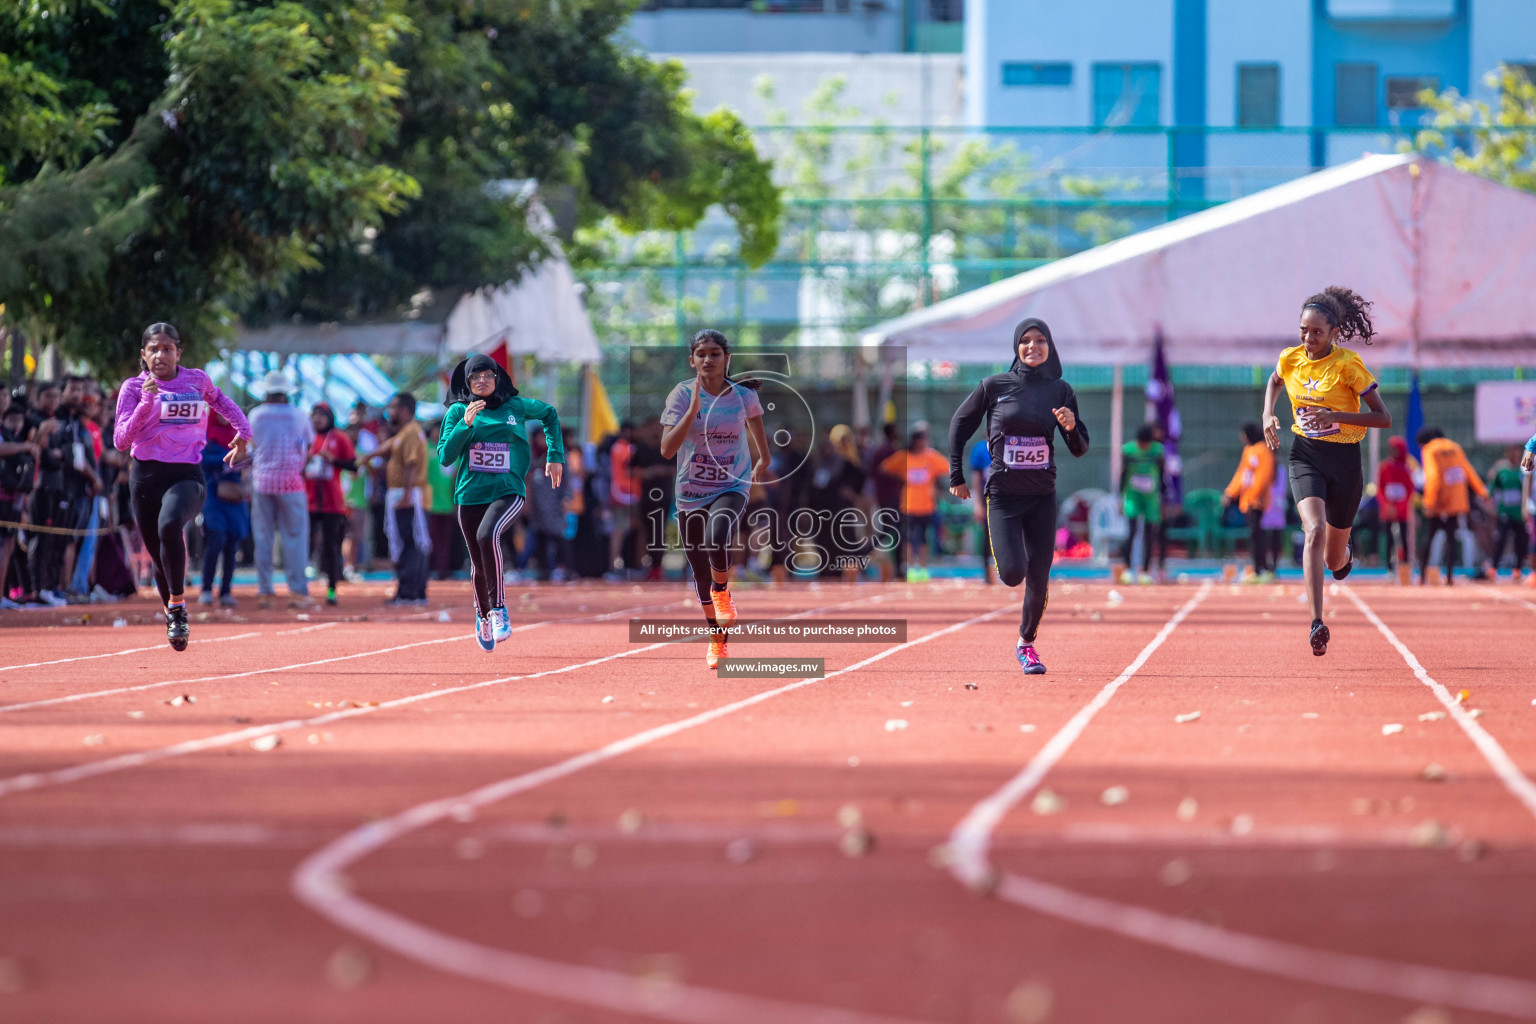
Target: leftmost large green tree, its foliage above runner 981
270,124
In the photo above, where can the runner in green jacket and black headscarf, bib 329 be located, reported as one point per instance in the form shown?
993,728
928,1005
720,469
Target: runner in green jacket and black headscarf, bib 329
485,434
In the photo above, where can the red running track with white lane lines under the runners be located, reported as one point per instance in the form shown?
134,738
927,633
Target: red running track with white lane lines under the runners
443,834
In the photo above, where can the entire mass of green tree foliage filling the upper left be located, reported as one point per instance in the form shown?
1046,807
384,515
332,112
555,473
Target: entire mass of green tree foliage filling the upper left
191,160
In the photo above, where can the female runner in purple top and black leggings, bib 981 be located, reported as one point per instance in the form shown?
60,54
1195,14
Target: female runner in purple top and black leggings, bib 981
162,421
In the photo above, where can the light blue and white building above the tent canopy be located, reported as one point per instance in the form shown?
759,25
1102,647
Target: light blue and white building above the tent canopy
1348,65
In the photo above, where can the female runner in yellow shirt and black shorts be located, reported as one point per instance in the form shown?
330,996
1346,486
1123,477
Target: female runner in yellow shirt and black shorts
1328,386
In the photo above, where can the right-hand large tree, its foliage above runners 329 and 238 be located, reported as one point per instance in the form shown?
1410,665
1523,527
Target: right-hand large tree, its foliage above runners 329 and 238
521,90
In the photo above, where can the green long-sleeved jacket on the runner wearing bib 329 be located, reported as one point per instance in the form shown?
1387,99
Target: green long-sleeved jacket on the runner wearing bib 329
494,454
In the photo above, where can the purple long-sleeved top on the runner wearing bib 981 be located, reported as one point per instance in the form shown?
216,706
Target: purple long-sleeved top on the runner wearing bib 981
174,426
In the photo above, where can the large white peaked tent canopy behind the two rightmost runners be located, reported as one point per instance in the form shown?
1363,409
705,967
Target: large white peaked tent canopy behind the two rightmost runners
1448,259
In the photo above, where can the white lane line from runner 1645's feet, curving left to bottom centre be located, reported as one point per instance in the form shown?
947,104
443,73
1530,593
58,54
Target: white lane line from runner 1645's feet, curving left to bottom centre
320,884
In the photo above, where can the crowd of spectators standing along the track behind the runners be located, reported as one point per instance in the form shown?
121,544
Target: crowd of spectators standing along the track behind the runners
326,501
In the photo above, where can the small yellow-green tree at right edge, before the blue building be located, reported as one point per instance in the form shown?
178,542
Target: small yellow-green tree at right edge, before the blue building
1494,140
